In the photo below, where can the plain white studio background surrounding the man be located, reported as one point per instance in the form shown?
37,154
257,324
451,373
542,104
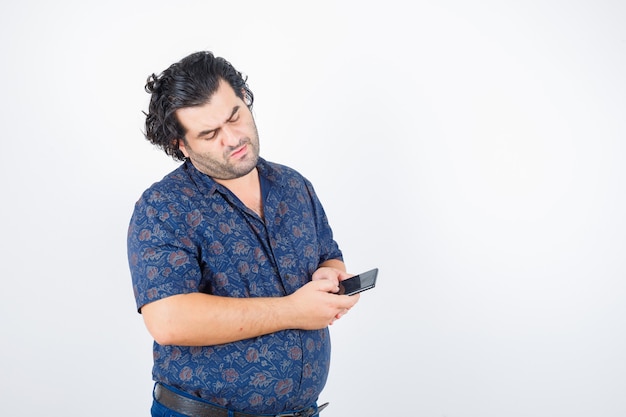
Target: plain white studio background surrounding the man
473,151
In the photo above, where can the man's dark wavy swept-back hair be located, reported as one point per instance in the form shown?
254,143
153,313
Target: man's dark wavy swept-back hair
187,83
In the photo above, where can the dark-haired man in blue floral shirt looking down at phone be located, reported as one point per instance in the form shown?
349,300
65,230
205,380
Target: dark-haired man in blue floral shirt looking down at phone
233,262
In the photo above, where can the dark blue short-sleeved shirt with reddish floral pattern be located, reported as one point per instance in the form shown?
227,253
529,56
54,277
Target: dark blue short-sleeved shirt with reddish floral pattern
190,234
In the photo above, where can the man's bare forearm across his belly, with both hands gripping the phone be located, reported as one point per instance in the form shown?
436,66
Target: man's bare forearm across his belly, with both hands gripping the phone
199,319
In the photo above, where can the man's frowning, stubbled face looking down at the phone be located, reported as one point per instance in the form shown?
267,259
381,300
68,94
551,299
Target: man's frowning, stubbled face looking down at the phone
221,138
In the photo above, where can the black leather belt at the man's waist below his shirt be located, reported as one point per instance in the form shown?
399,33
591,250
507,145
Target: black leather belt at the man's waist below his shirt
195,408
